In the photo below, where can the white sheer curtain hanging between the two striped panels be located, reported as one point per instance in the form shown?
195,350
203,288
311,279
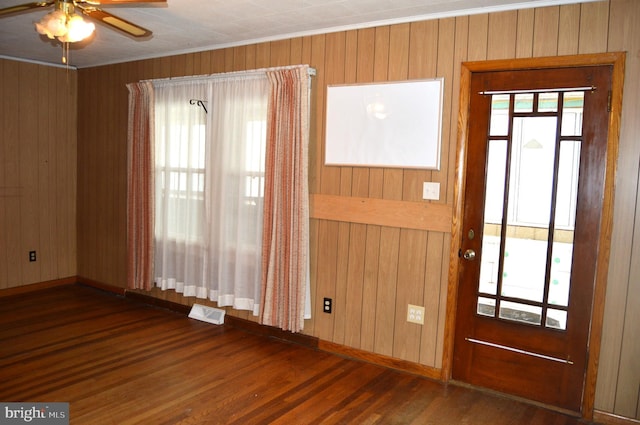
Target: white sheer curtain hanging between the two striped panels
210,146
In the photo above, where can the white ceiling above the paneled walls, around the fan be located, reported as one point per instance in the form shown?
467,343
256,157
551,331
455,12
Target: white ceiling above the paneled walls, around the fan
183,26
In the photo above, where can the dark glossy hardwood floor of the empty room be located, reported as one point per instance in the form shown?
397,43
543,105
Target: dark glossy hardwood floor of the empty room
118,361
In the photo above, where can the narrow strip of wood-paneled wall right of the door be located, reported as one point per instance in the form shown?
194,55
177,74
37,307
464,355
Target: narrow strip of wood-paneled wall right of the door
618,386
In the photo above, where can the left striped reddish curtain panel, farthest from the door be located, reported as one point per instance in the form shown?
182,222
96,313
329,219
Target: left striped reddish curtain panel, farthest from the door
140,187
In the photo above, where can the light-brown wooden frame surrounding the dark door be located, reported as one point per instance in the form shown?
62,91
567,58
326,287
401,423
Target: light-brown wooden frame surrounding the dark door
617,60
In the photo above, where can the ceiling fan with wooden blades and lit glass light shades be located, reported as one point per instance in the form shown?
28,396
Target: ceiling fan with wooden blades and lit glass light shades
66,8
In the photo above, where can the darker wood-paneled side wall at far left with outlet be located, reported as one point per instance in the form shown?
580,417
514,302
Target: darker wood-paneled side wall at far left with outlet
37,173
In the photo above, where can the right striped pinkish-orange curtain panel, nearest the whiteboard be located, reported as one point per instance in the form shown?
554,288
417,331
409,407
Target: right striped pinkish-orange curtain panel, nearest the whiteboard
285,242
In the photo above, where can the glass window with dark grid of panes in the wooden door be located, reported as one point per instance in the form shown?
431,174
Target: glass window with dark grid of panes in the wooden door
549,238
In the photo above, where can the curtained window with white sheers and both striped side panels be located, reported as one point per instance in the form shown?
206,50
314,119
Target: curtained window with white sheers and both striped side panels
216,250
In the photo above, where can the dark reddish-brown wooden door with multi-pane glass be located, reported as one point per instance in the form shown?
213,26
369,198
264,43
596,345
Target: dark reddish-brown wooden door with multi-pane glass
537,145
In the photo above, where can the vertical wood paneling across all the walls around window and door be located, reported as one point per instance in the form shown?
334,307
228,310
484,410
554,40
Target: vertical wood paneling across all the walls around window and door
372,269
